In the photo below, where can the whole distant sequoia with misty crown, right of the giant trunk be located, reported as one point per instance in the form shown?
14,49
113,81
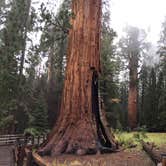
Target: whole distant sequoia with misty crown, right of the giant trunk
132,46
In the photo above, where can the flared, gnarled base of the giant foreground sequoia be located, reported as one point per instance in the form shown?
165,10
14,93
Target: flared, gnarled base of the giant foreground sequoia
80,139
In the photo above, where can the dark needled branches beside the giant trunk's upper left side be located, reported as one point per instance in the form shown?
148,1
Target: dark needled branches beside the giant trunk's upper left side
56,27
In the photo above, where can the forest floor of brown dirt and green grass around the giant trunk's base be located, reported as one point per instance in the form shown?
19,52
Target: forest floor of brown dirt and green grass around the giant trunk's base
132,155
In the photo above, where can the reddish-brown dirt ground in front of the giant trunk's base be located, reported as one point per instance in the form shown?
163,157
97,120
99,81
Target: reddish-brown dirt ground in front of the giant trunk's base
123,158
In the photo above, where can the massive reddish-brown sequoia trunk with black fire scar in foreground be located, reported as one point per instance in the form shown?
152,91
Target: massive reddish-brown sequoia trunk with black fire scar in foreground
79,128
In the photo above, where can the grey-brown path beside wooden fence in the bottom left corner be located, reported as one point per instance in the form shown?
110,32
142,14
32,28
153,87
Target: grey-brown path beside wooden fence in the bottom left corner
6,156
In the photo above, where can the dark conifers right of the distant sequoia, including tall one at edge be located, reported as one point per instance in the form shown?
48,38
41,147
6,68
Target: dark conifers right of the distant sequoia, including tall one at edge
153,90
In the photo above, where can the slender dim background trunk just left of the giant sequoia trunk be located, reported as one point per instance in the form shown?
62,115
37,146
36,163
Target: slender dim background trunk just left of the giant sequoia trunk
55,81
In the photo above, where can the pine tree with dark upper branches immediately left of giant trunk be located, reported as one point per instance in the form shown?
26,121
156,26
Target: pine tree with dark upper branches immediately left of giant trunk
53,42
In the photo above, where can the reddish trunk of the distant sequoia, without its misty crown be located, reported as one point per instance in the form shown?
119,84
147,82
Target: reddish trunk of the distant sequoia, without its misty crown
133,92
